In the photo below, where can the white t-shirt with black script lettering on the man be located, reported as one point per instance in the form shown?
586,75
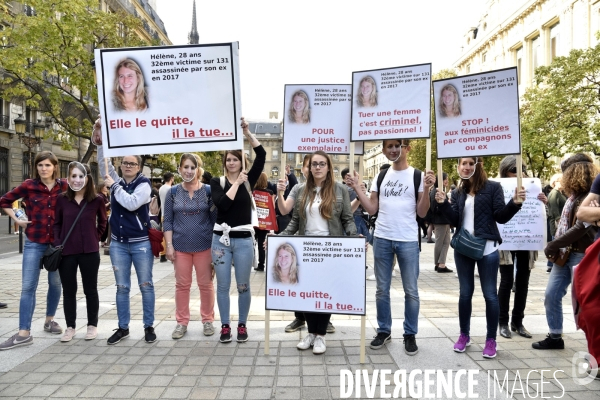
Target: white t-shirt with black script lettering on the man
397,206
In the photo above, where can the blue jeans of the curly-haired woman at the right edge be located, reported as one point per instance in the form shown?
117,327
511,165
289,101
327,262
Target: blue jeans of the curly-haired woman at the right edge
558,282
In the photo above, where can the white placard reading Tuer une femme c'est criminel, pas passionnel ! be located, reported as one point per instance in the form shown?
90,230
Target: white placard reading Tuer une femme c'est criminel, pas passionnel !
392,103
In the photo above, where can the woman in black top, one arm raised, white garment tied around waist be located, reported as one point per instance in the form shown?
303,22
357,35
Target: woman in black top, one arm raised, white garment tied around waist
233,233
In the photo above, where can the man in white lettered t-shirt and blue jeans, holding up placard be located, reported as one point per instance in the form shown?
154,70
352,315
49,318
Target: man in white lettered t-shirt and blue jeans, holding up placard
396,234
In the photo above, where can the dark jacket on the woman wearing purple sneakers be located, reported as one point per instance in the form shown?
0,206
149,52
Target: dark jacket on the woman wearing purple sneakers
489,210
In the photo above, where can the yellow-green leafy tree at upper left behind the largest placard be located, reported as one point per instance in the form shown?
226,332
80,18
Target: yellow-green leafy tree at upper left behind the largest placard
47,57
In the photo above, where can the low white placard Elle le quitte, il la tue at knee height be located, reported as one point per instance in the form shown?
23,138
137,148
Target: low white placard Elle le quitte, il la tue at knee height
326,274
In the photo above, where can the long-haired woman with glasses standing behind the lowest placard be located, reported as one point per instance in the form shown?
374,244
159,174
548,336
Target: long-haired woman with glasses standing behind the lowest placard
323,209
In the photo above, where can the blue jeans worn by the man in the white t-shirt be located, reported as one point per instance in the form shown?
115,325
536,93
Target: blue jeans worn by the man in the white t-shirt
408,261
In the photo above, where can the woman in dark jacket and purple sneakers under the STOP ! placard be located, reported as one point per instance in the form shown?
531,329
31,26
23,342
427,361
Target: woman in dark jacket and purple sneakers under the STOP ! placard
477,205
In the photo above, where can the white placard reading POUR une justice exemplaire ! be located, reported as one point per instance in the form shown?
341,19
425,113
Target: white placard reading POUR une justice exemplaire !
317,117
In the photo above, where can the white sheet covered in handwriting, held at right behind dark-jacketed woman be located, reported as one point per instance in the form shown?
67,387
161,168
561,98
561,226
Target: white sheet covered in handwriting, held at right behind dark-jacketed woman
527,229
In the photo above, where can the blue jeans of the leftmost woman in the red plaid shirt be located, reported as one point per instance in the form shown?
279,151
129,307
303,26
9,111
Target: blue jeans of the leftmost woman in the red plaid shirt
30,276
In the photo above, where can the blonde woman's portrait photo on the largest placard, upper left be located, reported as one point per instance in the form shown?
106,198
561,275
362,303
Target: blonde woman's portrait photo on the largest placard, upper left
129,89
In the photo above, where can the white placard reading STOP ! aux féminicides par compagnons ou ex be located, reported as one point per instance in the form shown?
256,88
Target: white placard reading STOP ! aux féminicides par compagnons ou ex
477,115
